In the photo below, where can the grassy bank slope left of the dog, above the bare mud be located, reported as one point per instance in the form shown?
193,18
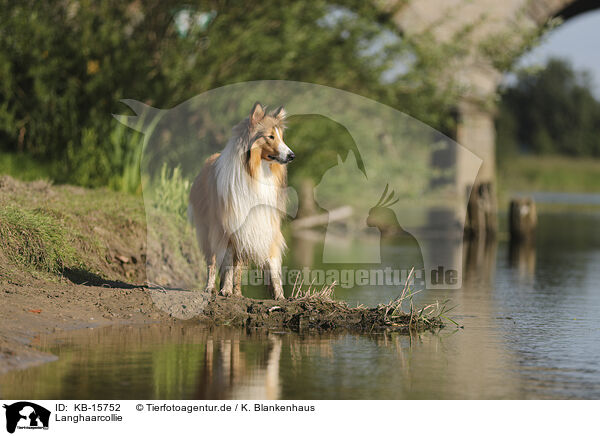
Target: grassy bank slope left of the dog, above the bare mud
56,232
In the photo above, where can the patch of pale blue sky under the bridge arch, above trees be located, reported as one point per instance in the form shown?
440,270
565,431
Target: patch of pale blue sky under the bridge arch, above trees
578,40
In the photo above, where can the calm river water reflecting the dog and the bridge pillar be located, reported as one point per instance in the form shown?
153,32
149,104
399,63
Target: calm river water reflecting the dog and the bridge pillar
531,329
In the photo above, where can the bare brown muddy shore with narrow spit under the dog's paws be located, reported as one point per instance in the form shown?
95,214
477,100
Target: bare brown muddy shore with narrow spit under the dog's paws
46,308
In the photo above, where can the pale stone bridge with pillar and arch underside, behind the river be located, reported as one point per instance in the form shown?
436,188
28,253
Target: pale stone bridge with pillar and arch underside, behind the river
508,24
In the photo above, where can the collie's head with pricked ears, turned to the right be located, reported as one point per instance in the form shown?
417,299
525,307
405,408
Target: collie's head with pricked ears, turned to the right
265,132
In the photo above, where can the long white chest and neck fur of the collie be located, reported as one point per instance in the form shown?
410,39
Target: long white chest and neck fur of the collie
251,218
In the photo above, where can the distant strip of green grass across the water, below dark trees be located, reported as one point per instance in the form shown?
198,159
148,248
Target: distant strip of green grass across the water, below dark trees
549,173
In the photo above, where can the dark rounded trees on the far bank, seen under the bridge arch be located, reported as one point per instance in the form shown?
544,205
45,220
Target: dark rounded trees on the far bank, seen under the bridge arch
549,111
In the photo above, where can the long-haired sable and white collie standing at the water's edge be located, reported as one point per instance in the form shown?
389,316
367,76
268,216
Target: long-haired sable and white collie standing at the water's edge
236,202
